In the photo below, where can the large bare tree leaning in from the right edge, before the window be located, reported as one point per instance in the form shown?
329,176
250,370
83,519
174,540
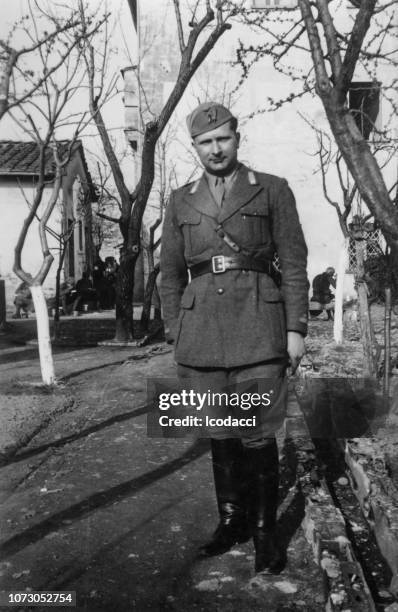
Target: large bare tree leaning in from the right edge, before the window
337,47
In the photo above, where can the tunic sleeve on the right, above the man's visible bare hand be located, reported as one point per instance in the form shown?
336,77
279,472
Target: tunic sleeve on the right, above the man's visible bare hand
292,251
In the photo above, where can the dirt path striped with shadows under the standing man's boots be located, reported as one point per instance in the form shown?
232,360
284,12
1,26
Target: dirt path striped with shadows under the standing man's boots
94,505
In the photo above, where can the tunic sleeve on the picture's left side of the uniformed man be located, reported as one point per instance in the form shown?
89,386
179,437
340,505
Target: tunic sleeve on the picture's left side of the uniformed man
174,276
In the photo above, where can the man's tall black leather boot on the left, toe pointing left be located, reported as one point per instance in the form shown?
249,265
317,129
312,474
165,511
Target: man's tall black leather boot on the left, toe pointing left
233,527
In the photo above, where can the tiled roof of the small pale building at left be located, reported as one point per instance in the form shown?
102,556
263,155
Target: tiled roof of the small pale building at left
22,158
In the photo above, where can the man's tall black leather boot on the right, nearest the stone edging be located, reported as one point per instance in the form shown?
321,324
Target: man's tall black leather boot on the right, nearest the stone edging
263,467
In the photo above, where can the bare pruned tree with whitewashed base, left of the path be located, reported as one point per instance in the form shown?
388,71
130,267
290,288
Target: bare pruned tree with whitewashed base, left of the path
40,117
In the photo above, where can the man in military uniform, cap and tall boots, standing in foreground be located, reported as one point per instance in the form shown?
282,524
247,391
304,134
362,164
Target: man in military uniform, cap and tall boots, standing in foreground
232,320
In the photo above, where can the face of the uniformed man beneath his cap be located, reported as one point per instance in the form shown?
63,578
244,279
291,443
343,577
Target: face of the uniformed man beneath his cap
218,149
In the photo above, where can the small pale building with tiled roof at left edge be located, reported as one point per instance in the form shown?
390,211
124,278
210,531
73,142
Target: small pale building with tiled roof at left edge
69,226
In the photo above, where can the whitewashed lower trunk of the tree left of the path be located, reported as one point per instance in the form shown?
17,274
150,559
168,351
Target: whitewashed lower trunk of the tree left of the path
43,335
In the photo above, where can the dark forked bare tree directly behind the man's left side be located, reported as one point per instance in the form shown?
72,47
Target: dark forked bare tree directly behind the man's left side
194,47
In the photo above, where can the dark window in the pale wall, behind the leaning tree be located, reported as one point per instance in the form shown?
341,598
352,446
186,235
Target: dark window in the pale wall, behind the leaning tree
364,104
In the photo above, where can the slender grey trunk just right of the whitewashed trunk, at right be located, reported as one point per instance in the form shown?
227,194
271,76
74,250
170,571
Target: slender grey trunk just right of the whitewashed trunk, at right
364,315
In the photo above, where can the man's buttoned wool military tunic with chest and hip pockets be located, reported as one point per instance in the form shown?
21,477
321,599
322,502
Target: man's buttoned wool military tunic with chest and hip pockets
238,317
